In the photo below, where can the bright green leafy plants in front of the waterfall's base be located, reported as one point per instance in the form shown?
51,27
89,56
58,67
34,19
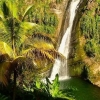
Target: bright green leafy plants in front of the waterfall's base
48,89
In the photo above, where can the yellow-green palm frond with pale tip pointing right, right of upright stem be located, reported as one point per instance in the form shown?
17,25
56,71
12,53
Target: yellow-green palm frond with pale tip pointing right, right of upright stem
22,32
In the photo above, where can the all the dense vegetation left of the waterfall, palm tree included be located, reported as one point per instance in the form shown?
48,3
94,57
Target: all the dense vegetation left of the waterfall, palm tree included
27,36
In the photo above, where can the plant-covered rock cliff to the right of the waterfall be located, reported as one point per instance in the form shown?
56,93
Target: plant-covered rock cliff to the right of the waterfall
85,43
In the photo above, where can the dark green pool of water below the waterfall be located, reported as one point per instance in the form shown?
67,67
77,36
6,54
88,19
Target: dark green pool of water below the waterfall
81,89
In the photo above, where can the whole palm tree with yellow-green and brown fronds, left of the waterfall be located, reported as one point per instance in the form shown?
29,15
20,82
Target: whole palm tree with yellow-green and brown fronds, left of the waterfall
17,42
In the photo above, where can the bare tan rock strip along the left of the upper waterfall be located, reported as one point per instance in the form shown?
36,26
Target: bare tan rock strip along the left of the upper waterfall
61,11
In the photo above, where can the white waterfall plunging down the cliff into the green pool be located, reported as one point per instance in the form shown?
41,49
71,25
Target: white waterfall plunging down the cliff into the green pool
61,67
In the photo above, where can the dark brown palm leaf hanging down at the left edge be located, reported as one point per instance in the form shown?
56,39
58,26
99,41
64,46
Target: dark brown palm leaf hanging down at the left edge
4,72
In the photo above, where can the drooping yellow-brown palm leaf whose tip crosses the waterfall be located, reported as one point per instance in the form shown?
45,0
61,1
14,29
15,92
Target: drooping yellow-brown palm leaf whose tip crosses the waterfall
40,55
